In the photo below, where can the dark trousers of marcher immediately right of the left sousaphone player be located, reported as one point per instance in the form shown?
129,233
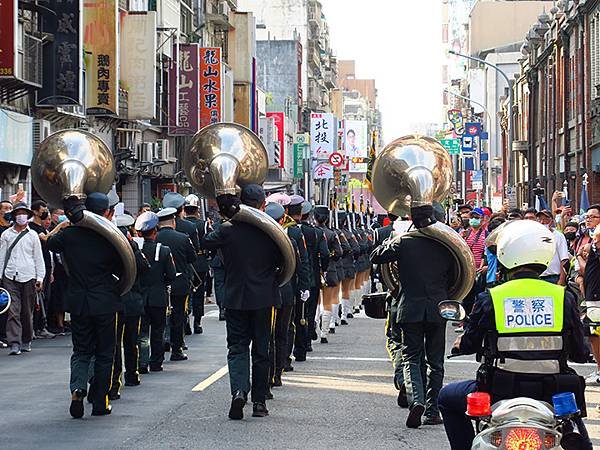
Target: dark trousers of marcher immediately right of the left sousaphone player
128,328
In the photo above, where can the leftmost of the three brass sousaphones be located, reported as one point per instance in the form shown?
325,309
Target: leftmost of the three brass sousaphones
74,163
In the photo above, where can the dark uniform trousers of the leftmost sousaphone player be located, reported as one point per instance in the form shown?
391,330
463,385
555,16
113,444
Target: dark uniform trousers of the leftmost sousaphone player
93,336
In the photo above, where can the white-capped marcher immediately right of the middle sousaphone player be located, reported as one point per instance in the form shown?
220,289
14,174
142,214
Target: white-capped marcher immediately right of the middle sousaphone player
298,332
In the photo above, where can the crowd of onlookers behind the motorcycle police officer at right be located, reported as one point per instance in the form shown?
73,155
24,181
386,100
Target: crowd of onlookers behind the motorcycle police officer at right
575,265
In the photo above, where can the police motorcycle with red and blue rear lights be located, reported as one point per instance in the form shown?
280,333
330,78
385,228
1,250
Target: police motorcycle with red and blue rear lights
522,422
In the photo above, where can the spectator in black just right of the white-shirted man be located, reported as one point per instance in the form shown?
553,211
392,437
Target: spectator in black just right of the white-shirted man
41,215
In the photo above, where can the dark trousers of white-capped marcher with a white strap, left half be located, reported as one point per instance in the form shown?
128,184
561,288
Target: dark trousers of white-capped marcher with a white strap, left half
152,344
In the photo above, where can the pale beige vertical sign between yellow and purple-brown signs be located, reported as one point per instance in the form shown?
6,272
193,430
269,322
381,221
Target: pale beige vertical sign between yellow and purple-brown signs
138,64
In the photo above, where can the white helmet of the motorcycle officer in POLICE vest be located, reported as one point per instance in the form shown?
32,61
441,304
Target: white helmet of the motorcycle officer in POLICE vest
525,242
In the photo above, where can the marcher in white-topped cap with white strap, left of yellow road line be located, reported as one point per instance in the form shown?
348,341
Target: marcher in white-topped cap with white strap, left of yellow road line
154,284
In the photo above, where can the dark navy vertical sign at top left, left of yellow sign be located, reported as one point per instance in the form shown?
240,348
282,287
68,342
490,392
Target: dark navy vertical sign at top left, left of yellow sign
62,71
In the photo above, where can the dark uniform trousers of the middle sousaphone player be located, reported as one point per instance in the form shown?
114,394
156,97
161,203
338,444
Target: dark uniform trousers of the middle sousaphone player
245,327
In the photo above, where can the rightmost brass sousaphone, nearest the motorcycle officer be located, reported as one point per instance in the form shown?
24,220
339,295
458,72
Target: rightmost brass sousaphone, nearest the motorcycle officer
415,171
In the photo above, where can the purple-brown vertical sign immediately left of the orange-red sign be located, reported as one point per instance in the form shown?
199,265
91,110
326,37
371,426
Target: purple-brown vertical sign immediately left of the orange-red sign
183,114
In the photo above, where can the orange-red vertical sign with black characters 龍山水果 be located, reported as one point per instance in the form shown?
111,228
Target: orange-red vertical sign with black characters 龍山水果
210,85
